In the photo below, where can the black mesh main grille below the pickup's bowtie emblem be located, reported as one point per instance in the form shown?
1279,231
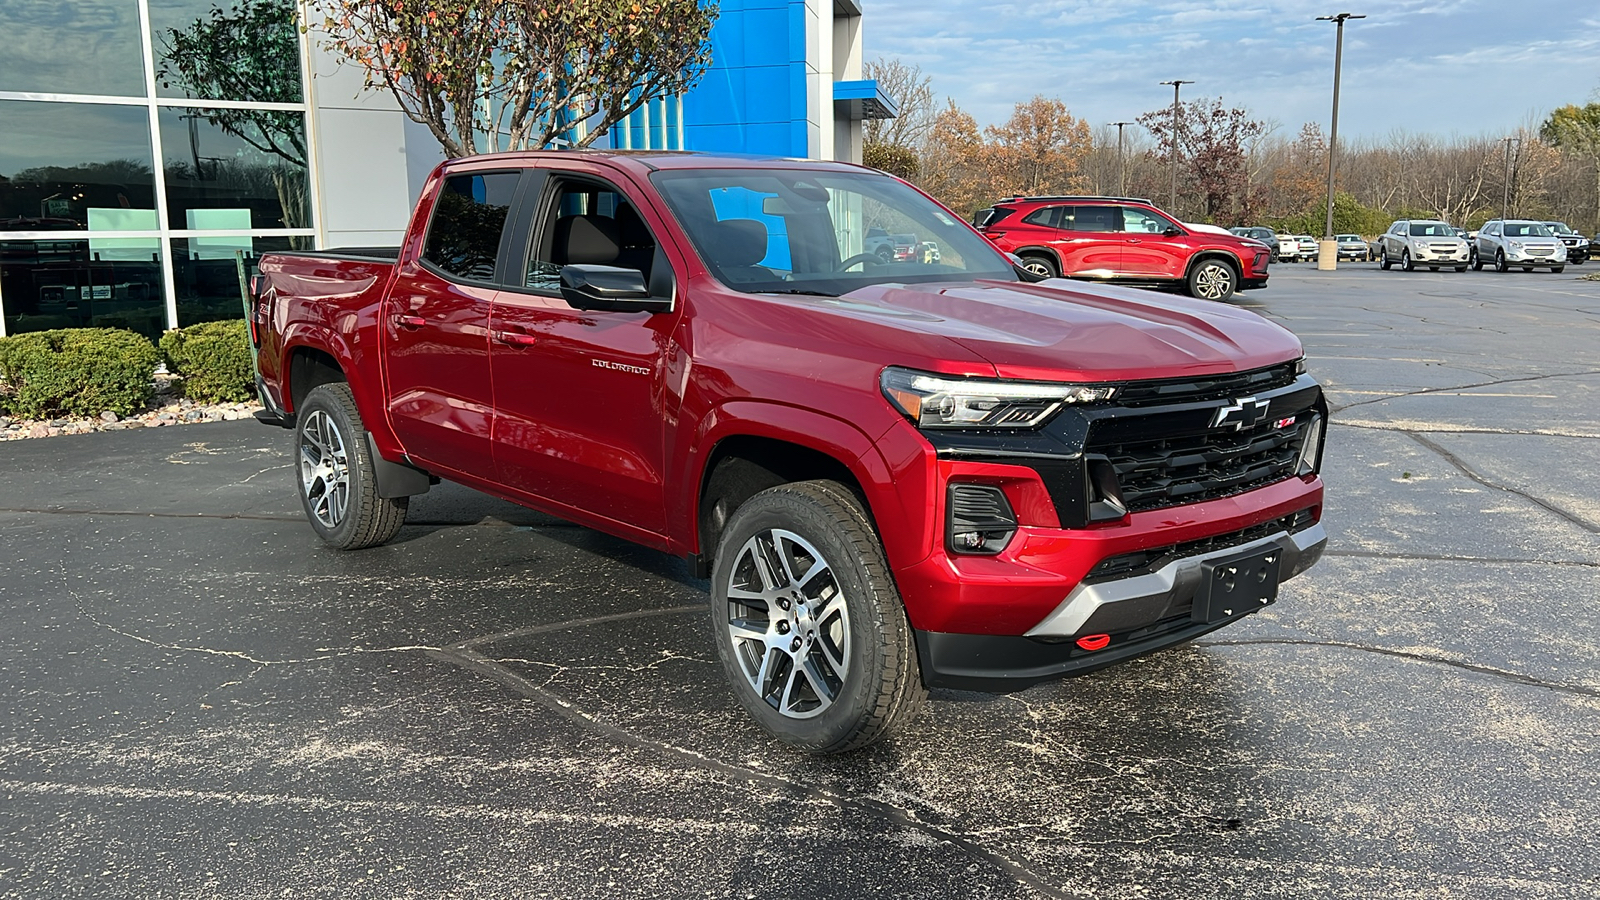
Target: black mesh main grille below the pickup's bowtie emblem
1172,472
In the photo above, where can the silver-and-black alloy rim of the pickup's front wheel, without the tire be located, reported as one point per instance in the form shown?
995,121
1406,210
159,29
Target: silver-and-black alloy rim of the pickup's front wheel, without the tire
790,624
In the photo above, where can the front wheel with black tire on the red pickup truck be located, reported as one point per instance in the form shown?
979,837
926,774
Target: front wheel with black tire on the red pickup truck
854,617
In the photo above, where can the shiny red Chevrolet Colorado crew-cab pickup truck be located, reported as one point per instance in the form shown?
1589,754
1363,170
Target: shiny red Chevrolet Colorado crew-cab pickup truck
897,473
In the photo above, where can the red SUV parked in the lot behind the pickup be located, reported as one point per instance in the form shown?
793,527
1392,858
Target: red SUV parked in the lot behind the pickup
1122,239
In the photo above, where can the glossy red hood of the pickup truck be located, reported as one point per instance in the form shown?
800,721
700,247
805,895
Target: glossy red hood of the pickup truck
1063,331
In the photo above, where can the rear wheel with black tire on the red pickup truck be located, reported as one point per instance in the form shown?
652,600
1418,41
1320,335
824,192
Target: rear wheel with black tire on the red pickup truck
335,473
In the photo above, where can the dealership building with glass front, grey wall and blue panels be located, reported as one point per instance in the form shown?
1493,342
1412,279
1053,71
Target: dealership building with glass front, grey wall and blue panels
153,148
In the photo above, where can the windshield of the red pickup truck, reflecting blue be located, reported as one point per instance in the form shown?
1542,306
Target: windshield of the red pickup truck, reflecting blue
798,231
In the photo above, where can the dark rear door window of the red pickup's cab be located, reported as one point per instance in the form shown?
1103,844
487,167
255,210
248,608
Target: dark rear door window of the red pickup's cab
468,222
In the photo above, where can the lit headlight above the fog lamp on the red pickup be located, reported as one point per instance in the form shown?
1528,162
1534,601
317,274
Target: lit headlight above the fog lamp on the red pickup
932,401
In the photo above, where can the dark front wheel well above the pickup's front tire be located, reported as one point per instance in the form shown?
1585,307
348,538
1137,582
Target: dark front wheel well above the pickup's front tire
743,467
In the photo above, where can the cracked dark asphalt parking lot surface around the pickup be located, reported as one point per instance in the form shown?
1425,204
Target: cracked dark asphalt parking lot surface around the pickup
199,701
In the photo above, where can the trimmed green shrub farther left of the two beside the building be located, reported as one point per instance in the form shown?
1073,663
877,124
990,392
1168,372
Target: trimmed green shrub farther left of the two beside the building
76,372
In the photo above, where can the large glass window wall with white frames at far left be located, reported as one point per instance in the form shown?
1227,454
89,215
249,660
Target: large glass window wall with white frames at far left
228,161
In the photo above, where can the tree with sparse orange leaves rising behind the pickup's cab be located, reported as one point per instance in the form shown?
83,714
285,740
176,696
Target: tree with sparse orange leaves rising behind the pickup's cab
514,74
